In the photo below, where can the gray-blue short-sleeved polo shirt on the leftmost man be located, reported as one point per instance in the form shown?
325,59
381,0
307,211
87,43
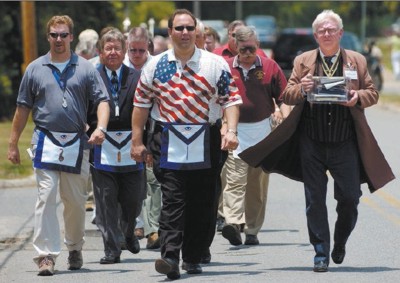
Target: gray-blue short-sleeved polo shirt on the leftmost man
43,89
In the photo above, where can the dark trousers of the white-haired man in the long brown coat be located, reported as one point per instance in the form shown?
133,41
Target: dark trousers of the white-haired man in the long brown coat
342,161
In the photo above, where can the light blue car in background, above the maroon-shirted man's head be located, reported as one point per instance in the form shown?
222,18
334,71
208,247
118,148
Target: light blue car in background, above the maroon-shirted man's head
265,27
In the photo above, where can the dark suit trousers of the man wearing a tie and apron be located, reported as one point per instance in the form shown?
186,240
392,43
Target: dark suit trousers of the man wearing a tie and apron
119,198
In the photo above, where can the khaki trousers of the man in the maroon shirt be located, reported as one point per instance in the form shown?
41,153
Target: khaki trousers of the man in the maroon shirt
244,194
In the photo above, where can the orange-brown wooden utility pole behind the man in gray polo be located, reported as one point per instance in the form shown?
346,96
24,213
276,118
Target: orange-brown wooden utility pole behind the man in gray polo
28,33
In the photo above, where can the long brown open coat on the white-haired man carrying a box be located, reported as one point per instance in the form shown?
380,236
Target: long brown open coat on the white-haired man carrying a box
279,152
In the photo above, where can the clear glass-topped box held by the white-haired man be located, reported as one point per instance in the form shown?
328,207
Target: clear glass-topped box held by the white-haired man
329,90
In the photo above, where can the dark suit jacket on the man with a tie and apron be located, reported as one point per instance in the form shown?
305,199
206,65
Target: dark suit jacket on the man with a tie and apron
129,81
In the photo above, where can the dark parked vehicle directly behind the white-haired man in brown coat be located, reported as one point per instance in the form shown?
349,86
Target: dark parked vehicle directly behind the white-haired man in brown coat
294,41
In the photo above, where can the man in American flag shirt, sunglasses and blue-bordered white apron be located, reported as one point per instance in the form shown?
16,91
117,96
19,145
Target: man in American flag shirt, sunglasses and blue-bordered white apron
189,88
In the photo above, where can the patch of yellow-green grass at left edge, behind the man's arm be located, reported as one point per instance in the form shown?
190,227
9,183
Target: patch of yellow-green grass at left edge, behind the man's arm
7,169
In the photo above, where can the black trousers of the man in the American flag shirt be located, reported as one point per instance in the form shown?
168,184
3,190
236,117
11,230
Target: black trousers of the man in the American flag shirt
188,200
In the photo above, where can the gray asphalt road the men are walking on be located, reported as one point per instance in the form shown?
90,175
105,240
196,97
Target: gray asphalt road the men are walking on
284,254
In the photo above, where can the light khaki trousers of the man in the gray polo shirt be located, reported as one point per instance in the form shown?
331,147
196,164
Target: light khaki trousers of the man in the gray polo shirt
73,193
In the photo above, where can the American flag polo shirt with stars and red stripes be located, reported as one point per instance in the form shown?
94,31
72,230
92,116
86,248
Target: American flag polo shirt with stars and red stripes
195,93
